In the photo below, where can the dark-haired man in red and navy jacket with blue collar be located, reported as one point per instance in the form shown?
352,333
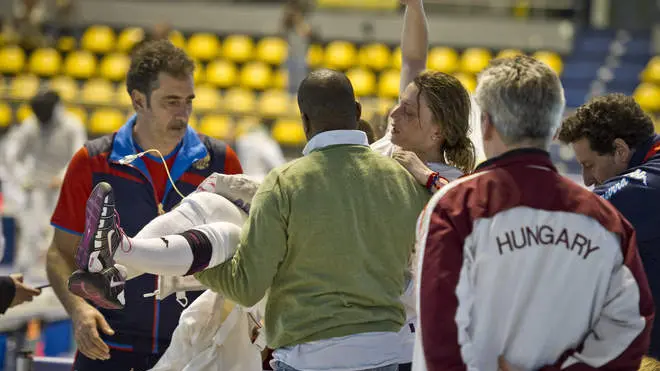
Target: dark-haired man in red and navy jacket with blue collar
161,87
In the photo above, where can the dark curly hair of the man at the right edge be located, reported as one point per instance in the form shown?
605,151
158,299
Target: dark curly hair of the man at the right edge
605,118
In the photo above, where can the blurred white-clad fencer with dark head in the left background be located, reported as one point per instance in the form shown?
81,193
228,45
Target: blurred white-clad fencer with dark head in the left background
35,159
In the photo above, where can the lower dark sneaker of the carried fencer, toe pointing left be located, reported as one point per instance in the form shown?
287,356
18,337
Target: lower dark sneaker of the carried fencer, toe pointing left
105,289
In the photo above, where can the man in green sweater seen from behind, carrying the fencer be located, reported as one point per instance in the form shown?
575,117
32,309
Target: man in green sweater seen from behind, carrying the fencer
329,236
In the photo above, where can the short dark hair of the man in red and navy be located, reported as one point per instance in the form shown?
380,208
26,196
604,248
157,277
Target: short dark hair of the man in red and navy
152,58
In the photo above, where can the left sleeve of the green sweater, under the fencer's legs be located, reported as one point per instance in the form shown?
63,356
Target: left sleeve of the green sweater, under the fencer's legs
245,278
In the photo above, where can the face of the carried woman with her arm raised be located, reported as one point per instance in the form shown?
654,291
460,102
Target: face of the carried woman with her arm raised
412,123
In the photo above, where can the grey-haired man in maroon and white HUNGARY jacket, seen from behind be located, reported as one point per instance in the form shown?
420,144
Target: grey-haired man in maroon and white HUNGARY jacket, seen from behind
517,262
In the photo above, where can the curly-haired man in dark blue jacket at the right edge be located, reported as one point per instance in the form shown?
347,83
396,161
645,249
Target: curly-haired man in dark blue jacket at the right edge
615,143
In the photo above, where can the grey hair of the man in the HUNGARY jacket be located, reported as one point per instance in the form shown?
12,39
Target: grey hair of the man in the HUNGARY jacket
523,97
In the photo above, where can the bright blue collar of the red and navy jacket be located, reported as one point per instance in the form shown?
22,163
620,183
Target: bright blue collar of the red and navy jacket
191,150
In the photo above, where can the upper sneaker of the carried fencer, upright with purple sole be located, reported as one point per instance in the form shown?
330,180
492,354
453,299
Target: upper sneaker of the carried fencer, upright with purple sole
103,234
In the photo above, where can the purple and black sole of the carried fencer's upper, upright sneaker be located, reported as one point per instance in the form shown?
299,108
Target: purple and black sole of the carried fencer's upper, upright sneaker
93,210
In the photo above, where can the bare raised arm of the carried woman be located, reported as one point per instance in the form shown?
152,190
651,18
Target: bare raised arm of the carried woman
414,42
